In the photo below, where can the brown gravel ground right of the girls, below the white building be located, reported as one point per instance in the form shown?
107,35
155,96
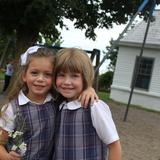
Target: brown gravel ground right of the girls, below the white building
140,134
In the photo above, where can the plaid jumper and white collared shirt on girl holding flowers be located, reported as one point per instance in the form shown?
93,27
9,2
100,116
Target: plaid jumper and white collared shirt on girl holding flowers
39,125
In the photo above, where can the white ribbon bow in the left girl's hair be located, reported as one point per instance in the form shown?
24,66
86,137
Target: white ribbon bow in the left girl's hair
30,50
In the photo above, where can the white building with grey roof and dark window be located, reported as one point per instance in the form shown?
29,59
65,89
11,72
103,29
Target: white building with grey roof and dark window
147,88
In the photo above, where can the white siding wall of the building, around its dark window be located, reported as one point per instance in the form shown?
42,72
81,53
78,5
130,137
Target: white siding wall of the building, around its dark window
120,89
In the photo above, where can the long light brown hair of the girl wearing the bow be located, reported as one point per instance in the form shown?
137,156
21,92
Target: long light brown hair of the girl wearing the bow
17,83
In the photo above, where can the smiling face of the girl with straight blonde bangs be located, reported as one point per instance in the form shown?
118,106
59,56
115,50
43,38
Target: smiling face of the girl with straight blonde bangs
70,85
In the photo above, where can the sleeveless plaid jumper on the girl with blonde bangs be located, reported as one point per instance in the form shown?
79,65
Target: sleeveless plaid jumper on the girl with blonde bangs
76,137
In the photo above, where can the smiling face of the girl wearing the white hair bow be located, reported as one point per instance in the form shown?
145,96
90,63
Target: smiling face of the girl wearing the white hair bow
38,78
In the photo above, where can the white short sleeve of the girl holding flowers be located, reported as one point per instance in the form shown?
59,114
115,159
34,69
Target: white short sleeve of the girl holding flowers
7,119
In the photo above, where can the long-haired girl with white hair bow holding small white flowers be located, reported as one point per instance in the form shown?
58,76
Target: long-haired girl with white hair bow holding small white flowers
30,113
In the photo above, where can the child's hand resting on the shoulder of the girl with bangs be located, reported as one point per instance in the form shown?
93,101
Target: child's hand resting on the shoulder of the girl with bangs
88,96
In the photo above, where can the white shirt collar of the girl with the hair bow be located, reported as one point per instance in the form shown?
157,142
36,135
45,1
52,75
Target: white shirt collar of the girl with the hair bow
22,99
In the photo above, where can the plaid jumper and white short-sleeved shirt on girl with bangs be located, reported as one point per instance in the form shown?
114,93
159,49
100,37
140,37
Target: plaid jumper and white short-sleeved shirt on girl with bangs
83,134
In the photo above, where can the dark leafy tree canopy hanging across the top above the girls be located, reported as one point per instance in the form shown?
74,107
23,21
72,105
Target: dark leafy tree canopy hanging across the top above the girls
29,19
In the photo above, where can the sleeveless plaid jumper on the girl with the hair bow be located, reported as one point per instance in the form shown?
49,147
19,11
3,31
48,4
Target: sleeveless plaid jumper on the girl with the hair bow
39,129
